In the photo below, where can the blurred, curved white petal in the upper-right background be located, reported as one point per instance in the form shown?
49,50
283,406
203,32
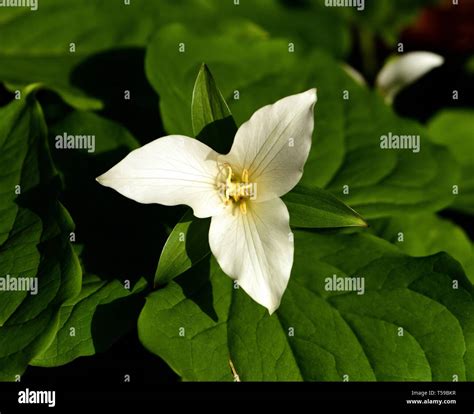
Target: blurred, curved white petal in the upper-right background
405,70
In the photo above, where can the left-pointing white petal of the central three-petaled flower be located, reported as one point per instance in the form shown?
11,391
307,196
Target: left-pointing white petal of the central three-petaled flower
171,170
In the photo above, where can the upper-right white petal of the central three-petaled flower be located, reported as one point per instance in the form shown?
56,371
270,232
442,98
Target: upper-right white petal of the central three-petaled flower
274,144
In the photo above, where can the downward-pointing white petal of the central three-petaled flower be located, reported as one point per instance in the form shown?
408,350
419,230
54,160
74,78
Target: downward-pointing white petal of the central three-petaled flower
256,249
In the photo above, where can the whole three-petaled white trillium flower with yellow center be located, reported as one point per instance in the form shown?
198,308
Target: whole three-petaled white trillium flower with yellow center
250,233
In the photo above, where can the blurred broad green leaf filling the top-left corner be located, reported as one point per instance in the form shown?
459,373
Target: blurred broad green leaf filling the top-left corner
53,44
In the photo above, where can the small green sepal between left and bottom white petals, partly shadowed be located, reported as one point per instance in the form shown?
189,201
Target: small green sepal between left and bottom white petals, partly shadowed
187,244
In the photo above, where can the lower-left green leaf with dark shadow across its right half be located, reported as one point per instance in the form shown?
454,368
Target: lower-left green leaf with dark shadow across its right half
92,321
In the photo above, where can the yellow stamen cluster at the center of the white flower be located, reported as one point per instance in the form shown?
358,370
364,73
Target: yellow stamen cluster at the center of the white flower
236,190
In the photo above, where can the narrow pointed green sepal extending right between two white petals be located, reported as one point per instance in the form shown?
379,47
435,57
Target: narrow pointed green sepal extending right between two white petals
316,208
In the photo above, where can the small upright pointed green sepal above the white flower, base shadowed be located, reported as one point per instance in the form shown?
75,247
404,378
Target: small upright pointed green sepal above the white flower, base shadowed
211,117
